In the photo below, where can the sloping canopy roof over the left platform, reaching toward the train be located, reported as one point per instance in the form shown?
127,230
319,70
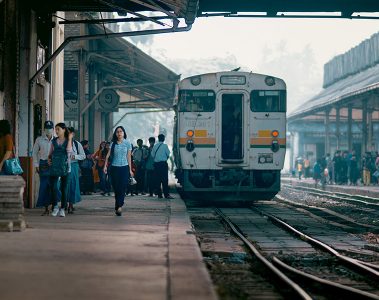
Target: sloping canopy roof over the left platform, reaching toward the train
142,81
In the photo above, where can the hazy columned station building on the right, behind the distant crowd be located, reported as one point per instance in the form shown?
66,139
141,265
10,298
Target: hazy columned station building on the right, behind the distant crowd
345,114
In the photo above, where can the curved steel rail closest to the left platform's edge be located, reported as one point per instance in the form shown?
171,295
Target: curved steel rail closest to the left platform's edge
294,286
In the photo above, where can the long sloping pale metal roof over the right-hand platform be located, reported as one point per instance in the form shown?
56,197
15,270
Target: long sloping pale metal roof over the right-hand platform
354,85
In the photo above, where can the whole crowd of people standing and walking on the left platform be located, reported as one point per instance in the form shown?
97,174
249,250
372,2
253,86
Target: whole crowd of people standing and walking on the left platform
67,169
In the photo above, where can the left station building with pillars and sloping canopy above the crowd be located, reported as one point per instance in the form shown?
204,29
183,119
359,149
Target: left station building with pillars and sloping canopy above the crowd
80,72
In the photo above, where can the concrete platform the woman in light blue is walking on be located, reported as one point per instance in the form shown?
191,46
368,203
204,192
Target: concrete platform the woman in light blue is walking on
150,252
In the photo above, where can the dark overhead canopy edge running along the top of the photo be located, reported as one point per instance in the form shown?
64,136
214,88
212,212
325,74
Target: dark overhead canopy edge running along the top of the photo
190,9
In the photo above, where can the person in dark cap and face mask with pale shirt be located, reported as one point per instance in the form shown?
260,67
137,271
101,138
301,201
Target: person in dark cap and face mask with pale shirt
41,151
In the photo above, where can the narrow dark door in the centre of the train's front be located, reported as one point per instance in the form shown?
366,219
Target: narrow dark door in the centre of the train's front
231,126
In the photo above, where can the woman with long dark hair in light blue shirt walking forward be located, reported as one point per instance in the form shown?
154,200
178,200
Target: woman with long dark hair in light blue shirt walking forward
119,156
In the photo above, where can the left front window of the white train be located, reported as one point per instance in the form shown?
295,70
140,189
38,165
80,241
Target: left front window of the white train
197,100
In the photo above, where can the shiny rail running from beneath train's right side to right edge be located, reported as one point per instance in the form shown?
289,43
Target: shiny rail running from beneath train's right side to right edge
355,263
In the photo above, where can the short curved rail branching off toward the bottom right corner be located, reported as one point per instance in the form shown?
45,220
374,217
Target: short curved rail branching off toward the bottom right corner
359,294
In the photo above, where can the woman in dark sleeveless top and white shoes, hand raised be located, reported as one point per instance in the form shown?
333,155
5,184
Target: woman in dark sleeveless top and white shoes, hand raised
60,166
